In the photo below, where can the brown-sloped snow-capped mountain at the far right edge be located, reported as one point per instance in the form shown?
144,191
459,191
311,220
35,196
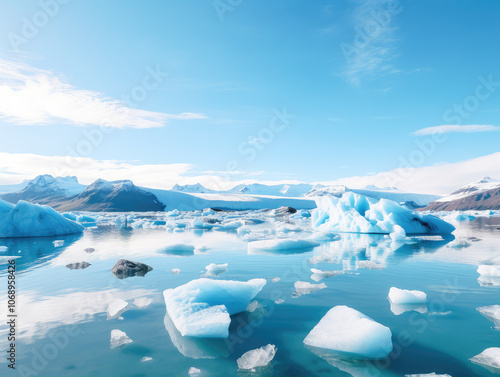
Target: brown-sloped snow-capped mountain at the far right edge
480,195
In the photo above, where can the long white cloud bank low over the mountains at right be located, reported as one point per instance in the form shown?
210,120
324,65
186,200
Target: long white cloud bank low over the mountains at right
437,179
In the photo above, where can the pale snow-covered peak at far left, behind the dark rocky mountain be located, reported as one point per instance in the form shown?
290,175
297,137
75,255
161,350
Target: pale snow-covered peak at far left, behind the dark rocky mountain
45,189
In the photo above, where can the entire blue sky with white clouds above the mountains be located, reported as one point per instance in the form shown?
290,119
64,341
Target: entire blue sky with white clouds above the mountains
391,93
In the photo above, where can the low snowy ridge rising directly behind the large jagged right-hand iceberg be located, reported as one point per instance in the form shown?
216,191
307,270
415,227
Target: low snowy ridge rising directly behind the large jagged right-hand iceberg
411,200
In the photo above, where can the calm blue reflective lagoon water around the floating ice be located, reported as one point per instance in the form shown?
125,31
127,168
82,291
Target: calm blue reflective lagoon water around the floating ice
65,330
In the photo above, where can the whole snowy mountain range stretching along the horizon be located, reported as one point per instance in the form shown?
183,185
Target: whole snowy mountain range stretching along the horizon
67,194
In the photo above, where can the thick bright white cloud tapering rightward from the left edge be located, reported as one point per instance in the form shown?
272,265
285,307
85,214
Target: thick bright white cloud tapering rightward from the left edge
29,95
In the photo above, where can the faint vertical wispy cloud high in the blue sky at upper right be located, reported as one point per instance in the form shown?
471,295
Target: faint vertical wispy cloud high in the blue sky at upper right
373,47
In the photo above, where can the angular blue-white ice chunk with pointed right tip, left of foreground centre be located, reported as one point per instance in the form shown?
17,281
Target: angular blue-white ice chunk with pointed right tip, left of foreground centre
202,307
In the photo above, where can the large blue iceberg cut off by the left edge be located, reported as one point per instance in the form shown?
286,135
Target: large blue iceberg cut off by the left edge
33,220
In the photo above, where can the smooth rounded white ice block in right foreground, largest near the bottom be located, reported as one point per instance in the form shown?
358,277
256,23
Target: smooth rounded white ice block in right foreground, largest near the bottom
346,330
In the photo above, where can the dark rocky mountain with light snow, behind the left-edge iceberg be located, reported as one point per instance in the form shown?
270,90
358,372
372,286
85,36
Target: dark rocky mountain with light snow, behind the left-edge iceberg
114,196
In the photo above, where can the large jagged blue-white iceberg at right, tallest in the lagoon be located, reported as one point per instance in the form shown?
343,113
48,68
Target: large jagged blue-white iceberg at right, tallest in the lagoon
354,213
